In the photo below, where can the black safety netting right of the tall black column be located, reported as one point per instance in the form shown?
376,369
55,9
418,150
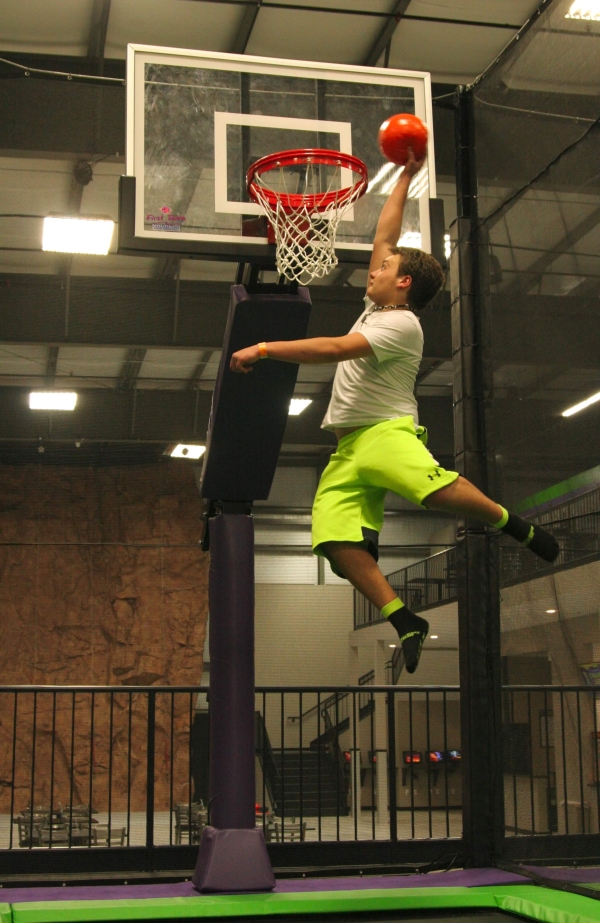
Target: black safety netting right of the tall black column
537,126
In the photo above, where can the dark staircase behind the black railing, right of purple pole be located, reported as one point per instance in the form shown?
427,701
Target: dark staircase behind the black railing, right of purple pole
309,784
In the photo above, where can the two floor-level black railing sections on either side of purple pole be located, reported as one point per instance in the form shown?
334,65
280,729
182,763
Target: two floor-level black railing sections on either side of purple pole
95,768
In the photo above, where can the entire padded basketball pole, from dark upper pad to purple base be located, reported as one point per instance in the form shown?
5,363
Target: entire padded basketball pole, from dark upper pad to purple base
248,419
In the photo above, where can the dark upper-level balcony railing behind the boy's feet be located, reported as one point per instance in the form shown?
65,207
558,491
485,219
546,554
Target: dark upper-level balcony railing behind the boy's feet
433,582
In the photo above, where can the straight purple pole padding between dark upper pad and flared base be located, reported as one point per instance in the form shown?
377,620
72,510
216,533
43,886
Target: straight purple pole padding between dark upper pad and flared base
232,787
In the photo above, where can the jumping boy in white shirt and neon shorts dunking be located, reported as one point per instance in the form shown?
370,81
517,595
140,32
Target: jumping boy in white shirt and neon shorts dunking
373,413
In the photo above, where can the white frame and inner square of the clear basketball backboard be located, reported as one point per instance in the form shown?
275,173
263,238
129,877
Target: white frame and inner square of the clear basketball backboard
135,237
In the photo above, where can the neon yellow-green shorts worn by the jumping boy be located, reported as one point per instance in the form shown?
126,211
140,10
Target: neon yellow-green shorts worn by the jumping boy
349,502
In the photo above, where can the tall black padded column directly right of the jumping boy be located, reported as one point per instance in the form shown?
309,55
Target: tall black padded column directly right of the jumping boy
477,564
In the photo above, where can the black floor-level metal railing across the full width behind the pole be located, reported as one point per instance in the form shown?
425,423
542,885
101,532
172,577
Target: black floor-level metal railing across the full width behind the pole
106,770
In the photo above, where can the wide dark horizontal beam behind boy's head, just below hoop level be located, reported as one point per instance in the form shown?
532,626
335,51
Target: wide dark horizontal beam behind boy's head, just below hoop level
139,312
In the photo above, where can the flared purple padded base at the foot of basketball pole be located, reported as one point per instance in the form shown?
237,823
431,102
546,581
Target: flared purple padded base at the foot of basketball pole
233,860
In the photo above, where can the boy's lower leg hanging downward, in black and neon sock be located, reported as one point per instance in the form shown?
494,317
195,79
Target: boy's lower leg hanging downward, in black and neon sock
360,568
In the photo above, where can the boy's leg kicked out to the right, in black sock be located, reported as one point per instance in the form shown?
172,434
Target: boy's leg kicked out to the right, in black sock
463,497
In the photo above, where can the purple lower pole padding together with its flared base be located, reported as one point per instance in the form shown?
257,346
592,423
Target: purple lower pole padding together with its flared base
233,854
